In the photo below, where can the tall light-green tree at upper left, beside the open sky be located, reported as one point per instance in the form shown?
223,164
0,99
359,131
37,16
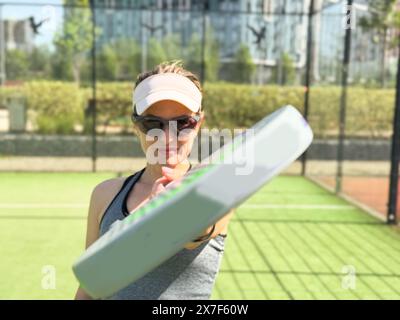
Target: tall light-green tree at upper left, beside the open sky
75,39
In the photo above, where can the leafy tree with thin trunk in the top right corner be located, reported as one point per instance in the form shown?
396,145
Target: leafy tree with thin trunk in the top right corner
380,19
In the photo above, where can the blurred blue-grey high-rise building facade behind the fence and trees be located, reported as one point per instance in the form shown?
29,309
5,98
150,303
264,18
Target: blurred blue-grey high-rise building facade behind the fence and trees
269,28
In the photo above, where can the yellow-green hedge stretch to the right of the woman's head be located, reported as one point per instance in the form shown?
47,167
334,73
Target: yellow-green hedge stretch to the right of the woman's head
369,111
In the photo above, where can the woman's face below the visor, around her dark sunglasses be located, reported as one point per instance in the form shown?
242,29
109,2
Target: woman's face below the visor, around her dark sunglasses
169,147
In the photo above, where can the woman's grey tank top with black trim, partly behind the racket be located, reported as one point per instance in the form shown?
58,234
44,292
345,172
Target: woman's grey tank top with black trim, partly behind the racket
189,274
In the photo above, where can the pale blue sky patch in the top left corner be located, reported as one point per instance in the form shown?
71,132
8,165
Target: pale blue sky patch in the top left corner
23,9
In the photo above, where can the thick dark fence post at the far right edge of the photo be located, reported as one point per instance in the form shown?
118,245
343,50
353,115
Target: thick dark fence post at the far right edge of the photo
395,155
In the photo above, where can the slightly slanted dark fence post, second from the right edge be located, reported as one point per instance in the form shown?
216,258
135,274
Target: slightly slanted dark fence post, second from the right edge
343,99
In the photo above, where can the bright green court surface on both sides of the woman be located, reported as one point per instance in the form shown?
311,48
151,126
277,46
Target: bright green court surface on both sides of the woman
291,240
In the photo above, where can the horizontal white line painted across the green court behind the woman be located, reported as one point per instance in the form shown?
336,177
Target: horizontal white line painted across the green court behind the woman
246,206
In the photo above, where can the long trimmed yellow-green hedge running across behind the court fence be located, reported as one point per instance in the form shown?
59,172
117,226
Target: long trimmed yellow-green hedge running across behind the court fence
58,106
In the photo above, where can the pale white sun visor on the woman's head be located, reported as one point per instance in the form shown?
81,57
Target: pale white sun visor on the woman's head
166,86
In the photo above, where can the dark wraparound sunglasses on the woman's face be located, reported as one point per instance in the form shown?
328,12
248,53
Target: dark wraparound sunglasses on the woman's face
147,123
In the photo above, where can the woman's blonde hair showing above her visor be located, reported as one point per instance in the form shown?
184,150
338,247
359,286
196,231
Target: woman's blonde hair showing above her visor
174,66
